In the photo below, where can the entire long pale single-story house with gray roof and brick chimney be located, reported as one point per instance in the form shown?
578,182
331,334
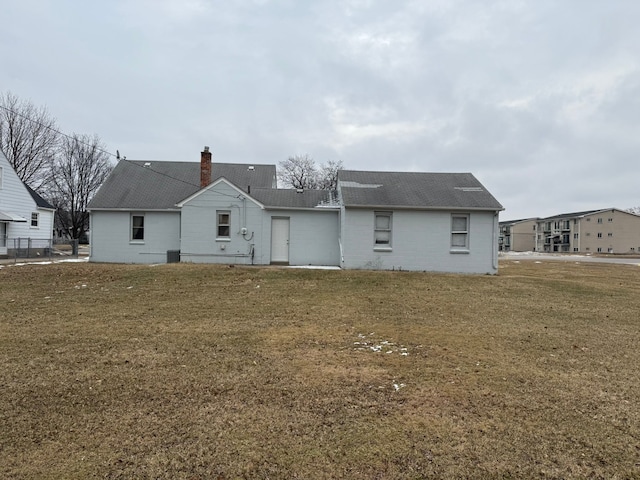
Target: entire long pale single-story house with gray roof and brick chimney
153,212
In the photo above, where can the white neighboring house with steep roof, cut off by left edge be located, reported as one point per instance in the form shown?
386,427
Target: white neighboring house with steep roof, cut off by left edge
26,219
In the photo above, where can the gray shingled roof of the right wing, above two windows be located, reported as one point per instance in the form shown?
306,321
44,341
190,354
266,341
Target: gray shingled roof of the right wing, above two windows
414,190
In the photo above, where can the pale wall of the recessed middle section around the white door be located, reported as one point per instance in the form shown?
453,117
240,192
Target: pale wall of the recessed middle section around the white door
313,236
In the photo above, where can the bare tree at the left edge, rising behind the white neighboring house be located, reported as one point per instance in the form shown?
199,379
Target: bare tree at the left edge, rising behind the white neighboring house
29,138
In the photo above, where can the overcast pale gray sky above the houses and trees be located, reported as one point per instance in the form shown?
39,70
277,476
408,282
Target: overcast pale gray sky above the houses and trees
539,99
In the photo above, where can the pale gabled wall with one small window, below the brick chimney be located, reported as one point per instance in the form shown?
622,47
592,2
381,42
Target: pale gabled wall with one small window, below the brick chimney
200,243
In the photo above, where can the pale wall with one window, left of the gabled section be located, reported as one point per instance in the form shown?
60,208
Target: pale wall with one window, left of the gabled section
111,237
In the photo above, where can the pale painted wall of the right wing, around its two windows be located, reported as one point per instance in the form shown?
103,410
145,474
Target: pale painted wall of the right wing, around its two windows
420,241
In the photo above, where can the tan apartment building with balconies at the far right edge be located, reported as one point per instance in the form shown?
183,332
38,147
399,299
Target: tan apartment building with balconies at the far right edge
593,231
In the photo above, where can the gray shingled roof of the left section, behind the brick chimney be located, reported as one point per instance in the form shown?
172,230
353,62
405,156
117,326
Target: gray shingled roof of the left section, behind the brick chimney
160,185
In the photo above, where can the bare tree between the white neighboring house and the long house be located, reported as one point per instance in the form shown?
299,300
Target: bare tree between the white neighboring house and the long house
79,169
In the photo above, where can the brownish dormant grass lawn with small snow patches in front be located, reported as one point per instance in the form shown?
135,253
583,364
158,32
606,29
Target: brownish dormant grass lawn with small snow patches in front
199,372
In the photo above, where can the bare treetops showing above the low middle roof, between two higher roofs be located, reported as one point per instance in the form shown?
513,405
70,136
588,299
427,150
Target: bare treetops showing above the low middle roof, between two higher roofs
300,171
